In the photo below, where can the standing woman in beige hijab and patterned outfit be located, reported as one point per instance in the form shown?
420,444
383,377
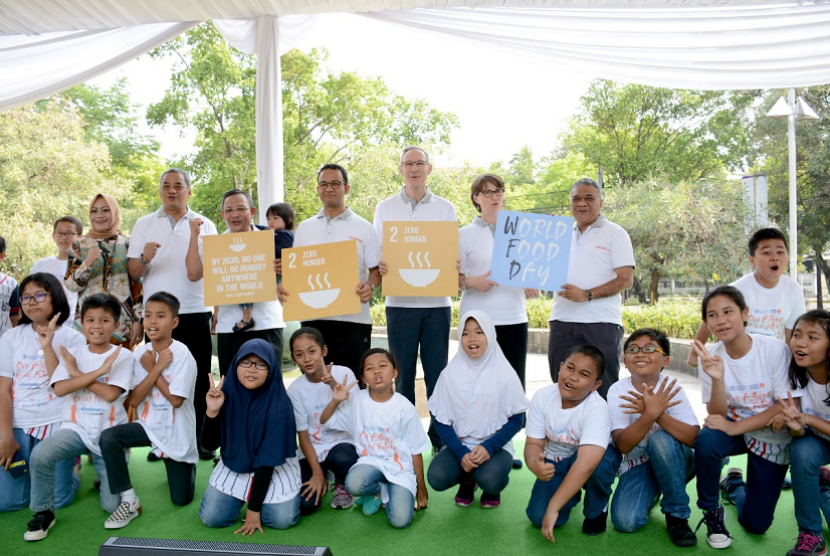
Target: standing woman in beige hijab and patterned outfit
98,264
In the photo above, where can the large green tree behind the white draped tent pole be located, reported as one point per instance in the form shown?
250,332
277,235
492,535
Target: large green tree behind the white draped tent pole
341,118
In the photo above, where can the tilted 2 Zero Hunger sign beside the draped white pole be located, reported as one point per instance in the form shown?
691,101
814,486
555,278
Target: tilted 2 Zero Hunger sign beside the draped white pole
321,280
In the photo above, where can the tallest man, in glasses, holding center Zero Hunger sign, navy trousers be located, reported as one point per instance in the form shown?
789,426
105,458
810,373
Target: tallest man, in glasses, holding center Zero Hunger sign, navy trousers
417,321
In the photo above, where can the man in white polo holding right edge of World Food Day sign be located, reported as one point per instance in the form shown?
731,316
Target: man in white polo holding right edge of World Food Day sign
588,308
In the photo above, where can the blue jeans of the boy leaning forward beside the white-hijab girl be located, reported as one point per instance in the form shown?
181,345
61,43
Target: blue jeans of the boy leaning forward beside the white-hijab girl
597,490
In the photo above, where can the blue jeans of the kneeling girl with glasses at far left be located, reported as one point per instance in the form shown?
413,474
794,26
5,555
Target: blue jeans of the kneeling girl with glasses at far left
15,493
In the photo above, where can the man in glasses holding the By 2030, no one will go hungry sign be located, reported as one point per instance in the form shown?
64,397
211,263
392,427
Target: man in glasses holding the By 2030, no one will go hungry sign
238,211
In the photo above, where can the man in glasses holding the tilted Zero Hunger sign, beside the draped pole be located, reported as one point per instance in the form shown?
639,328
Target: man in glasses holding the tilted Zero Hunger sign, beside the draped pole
347,336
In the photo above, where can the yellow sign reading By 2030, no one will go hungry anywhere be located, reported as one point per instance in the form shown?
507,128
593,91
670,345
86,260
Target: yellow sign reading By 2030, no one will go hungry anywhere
239,268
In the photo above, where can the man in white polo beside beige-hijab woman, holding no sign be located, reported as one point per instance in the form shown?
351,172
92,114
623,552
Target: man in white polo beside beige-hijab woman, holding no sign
158,247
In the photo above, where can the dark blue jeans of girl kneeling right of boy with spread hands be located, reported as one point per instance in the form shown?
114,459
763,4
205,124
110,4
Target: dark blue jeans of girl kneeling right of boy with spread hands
759,494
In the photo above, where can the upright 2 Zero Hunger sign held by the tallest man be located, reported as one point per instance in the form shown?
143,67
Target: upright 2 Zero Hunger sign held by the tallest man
420,258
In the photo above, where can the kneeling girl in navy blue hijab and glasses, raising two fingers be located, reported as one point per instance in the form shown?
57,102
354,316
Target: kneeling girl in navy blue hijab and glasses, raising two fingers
249,415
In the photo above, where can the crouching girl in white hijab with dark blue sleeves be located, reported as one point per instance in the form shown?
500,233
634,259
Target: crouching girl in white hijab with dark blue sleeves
479,405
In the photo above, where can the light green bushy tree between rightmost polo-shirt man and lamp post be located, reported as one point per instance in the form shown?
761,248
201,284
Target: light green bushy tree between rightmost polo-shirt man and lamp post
689,229
